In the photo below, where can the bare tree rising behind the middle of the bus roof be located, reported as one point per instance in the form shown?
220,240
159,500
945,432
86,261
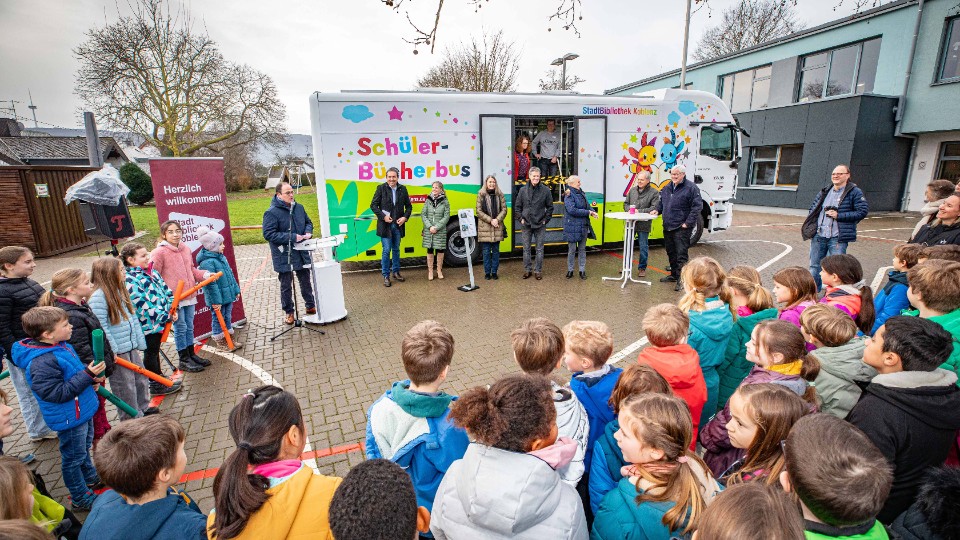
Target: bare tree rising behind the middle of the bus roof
490,65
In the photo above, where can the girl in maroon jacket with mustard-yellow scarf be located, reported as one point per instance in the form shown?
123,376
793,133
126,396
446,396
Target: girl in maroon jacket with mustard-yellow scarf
779,352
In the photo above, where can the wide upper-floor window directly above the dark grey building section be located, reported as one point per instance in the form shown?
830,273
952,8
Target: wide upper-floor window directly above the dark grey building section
847,70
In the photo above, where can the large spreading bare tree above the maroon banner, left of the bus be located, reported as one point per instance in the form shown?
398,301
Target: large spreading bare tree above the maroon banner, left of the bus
153,74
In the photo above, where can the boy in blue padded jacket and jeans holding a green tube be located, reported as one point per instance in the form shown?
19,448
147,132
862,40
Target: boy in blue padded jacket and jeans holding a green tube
64,389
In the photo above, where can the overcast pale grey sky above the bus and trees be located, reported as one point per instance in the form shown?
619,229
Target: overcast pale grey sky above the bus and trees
329,45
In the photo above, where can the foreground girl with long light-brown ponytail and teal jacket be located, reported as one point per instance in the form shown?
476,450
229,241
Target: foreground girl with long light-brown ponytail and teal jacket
666,486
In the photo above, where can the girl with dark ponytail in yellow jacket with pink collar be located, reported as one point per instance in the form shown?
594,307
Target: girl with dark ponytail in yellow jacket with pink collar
263,490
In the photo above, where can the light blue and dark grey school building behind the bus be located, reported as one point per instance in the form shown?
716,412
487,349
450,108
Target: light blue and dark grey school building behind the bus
879,91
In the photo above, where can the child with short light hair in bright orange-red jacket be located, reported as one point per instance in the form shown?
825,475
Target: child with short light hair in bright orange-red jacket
667,327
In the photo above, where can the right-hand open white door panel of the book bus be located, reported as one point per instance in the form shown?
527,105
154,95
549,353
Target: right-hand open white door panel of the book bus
590,165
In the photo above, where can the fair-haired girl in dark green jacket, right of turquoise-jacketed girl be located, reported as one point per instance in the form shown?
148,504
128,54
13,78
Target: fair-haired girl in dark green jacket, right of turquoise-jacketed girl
753,303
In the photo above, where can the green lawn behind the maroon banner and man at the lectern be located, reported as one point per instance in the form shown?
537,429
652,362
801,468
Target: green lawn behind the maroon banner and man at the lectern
246,208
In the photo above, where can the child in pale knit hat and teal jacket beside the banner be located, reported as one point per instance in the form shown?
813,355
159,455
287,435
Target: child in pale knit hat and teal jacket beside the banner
222,293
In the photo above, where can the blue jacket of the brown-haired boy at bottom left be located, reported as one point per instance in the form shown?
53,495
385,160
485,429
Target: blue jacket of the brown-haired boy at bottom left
173,517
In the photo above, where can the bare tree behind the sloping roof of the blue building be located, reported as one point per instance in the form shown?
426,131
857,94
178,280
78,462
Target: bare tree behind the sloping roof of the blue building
746,24
